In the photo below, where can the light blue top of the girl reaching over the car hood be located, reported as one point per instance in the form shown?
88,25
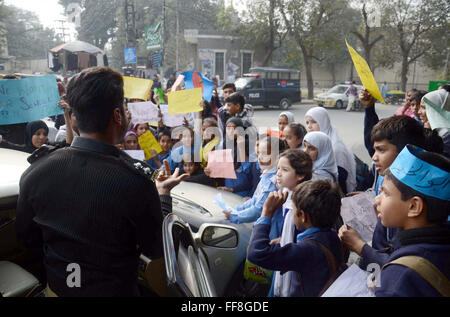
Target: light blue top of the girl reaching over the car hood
251,210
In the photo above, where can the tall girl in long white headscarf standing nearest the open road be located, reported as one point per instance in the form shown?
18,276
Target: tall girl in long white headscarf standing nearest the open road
317,119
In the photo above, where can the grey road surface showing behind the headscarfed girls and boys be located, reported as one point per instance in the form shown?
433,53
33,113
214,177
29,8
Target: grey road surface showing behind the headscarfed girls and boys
350,126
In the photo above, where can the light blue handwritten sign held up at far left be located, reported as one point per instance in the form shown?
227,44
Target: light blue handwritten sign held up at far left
28,99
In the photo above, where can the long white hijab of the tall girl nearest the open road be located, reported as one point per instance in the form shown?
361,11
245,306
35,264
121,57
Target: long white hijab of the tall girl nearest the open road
344,156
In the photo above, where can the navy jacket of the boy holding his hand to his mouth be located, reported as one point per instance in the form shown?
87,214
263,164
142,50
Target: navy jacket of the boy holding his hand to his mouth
306,258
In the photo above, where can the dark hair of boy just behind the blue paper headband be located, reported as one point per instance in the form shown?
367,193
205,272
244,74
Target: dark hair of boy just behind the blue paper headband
400,131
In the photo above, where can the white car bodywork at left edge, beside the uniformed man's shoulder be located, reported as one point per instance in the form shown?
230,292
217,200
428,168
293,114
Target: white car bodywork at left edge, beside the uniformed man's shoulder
12,166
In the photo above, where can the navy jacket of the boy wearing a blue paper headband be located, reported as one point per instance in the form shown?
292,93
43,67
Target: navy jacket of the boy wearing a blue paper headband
432,244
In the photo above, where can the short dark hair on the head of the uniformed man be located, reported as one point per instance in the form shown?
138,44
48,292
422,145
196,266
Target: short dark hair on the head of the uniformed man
93,95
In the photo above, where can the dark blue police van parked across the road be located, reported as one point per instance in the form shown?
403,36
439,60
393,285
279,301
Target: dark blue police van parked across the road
271,87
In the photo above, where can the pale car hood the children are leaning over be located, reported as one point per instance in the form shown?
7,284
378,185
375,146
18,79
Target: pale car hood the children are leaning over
204,196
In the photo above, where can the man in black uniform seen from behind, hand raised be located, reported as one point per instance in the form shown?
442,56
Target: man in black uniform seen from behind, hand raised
91,204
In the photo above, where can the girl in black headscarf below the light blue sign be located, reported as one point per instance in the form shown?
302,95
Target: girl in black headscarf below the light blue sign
36,135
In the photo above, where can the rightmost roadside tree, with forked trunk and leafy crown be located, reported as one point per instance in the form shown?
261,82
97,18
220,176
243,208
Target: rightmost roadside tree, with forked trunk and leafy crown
412,24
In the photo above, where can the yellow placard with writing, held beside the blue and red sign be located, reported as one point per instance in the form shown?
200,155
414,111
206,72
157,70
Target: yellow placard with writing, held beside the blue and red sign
185,101
